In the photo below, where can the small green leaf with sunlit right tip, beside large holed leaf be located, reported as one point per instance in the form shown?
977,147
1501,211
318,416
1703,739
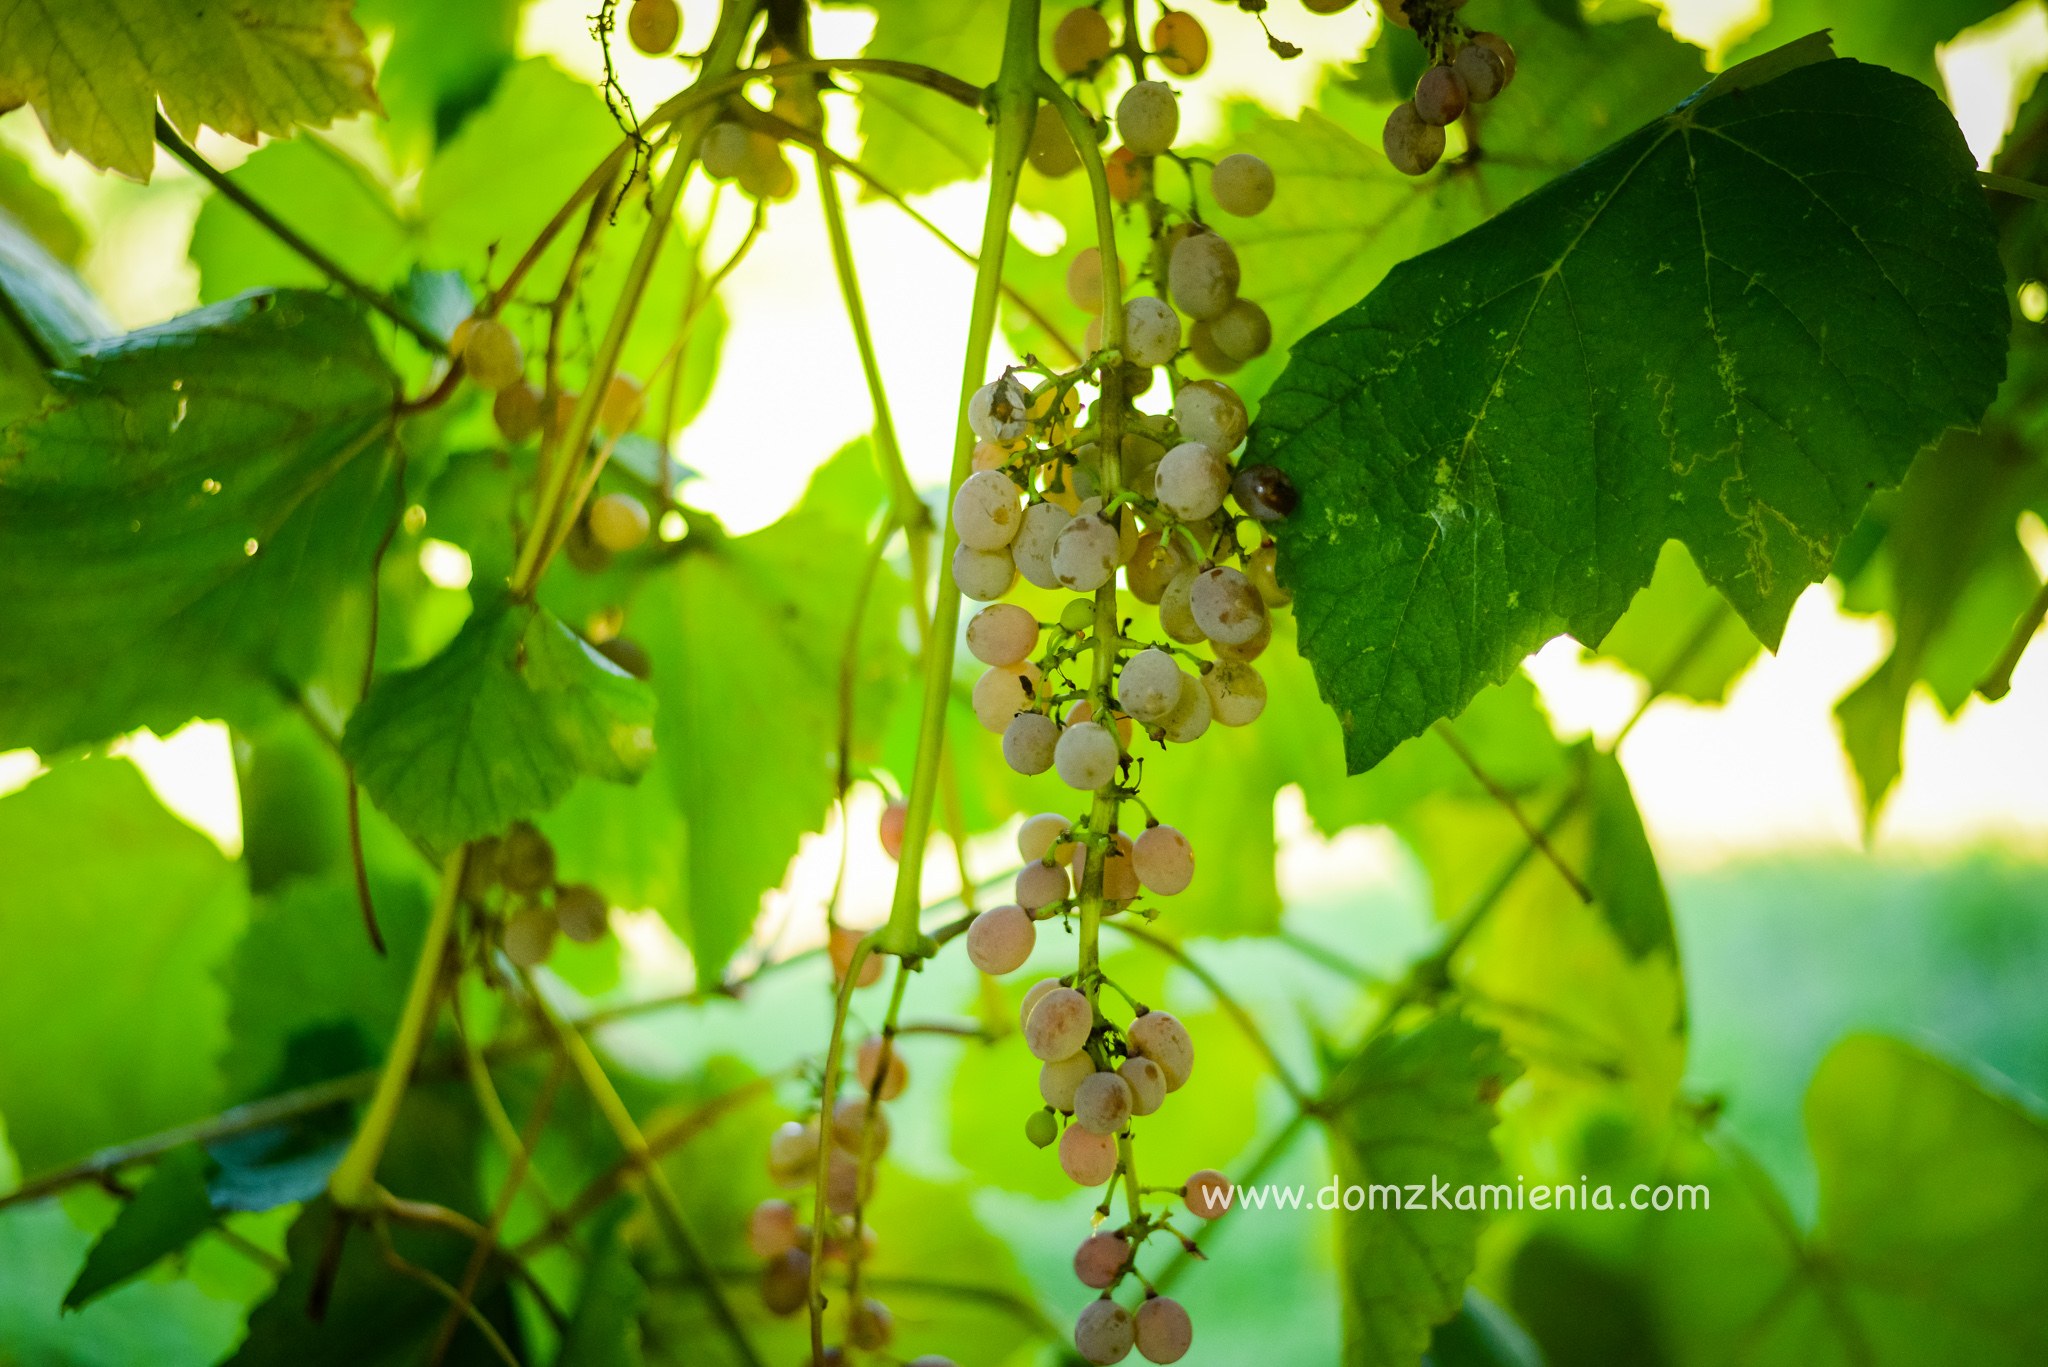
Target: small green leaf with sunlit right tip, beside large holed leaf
499,727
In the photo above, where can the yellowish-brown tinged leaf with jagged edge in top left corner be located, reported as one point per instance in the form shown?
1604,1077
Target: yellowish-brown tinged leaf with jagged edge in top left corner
263,67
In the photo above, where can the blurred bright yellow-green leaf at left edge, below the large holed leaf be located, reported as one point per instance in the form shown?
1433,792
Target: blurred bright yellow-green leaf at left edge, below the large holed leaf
116,913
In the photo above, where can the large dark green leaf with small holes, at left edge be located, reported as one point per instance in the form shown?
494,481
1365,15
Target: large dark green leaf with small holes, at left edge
181,522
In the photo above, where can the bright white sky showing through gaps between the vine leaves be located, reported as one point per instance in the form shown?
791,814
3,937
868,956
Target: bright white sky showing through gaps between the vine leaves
1762,774
